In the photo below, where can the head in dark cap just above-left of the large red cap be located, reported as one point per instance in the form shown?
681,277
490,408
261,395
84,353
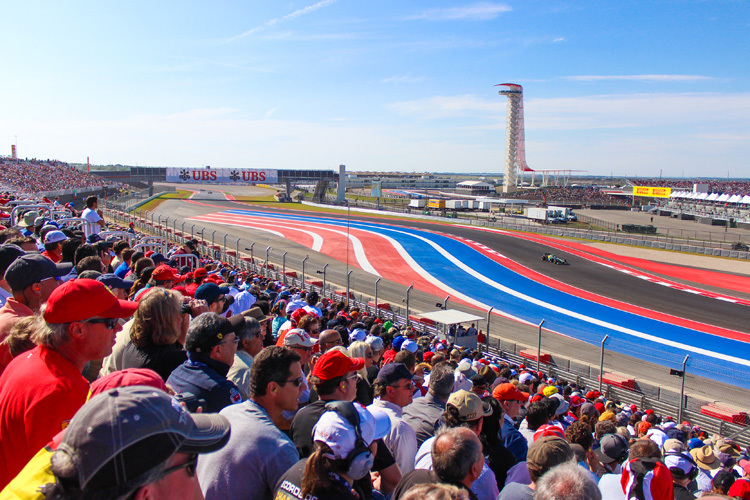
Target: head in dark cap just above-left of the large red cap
33,277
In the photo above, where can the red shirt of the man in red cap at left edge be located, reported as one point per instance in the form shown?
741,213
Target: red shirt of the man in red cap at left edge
40,391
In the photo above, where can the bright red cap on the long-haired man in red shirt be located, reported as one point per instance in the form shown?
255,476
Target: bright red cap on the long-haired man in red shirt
77,300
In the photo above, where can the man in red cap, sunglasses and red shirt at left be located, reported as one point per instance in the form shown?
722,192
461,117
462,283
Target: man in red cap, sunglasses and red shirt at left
41,390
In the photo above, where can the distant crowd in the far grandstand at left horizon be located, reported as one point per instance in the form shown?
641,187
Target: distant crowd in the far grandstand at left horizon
32,176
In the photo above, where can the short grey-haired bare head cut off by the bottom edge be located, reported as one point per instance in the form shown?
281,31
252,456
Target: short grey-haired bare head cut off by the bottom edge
567,481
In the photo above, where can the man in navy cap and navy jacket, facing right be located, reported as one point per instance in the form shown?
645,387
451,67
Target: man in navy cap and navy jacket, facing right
211,343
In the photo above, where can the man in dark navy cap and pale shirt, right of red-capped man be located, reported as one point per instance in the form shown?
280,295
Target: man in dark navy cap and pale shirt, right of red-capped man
394,390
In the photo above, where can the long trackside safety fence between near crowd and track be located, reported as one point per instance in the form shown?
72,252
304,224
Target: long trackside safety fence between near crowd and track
270,263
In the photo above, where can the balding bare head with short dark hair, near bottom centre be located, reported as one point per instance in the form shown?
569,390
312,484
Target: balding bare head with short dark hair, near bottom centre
457,456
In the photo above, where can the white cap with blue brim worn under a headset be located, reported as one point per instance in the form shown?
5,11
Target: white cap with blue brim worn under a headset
335,430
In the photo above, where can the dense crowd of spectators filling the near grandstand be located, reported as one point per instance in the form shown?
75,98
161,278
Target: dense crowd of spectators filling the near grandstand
125,375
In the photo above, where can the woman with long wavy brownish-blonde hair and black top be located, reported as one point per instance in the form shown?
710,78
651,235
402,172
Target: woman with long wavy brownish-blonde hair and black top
157,333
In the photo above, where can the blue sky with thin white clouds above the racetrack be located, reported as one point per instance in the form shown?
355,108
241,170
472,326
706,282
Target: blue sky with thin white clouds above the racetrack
623,88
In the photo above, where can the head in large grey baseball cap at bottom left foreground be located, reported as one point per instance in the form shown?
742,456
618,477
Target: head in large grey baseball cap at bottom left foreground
134,442
